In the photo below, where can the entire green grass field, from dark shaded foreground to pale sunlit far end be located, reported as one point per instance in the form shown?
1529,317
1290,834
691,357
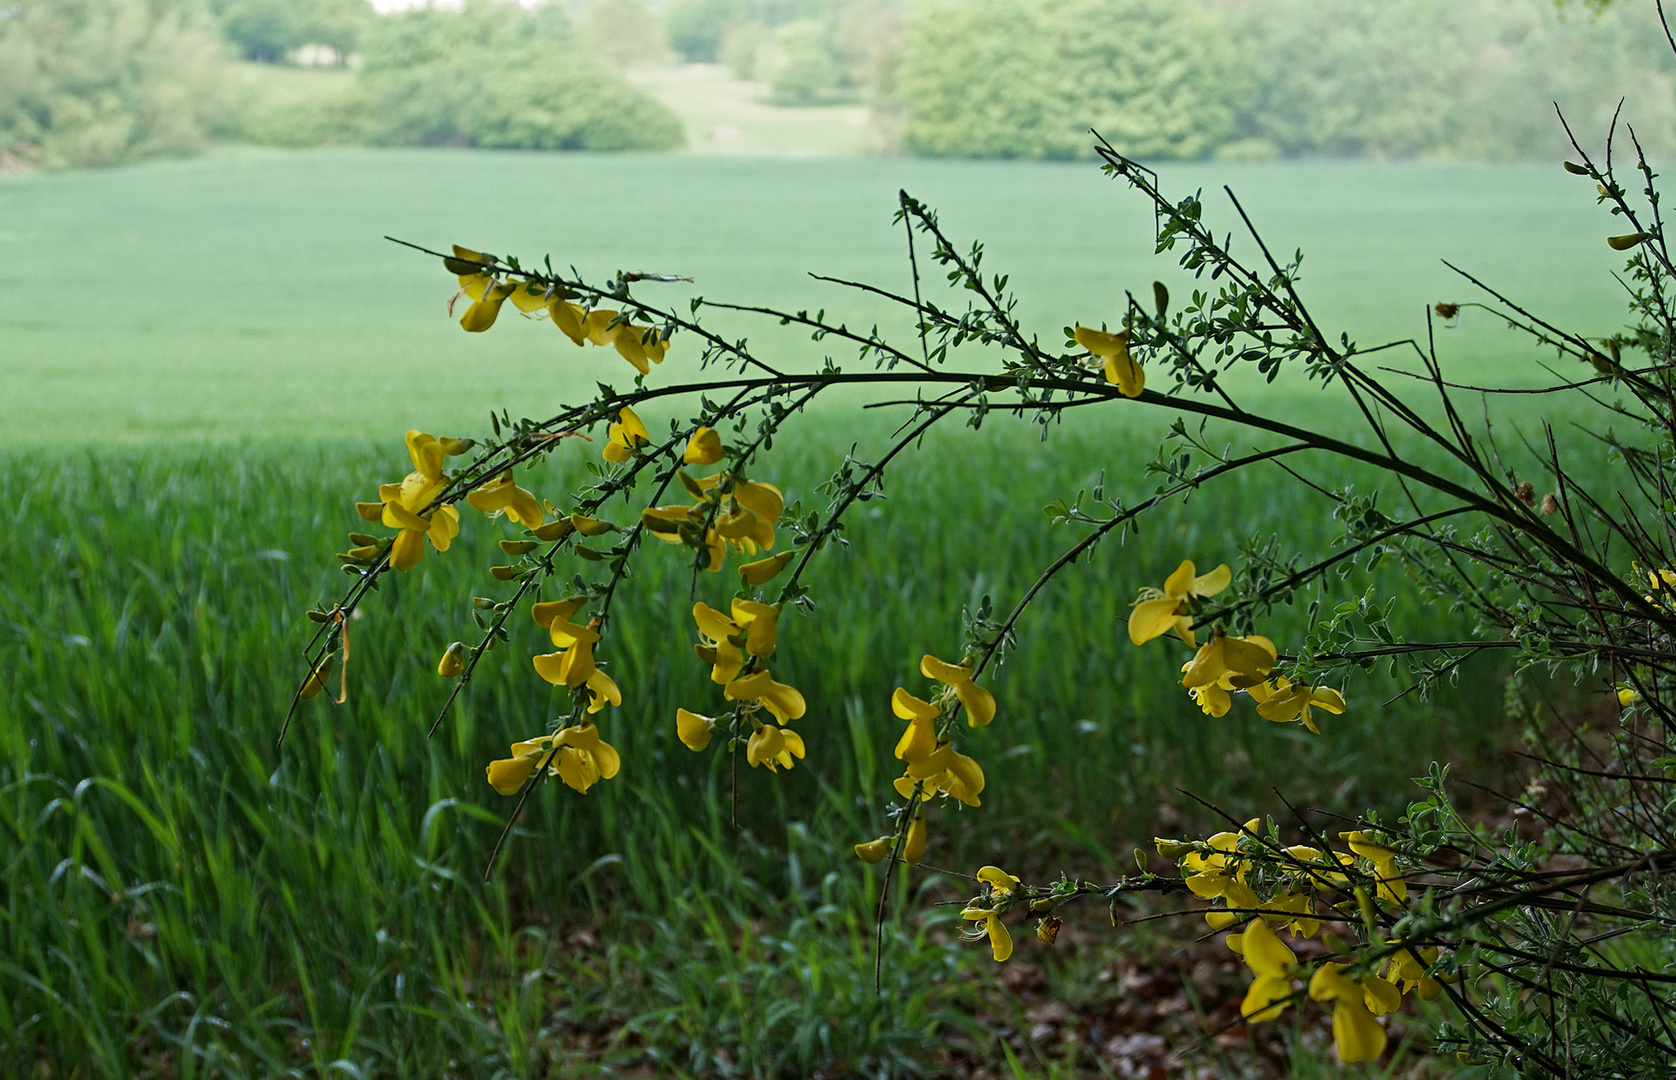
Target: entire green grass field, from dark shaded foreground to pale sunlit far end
205,363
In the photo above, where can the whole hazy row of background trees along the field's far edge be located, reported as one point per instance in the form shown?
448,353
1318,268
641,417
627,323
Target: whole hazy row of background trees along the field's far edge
101,81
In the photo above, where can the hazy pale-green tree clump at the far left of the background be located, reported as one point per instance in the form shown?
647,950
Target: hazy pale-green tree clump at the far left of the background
103,81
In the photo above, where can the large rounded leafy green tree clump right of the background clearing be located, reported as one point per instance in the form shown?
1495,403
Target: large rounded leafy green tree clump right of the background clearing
1030,80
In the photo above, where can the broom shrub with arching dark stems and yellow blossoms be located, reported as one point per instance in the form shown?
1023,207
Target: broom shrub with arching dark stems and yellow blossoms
1546,953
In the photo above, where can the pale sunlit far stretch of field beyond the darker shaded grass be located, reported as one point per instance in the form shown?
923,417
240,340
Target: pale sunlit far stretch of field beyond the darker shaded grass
252,294
